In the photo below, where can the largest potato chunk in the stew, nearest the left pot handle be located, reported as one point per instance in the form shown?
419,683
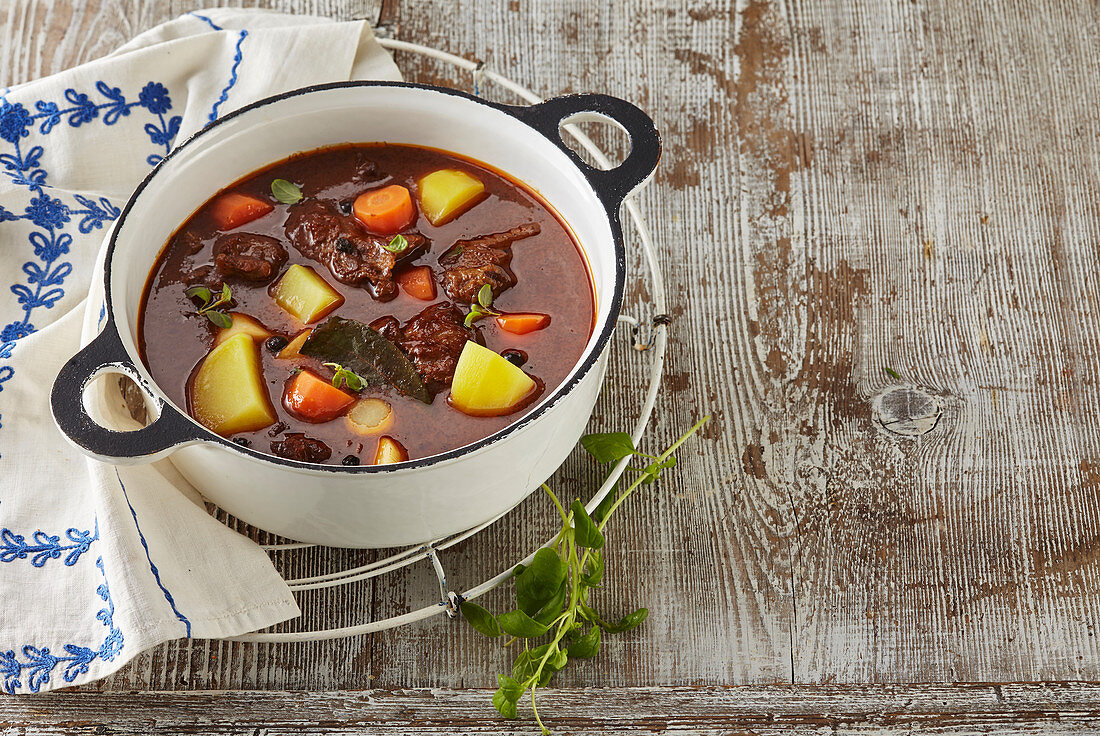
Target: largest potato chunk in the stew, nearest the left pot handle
228,393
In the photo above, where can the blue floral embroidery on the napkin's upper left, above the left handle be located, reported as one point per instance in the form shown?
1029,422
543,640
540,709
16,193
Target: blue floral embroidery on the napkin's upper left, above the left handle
46,279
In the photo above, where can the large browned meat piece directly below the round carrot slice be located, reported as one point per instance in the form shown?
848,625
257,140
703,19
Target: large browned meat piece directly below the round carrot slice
355,257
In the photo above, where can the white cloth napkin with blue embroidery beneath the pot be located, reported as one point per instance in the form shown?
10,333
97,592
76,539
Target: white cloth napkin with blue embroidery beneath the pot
98,563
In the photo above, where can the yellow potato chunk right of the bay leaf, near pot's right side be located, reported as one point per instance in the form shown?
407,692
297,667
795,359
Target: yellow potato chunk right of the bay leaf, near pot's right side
487,385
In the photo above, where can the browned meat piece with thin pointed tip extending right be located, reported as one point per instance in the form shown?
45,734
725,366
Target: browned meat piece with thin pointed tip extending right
470,265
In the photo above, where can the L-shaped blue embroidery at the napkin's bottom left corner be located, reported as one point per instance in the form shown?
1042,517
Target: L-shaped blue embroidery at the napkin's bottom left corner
40,663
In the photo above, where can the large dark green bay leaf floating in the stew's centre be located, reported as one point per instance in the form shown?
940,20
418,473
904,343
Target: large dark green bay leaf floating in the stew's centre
371,357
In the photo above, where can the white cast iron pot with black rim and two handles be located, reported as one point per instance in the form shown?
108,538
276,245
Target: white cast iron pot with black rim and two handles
365,507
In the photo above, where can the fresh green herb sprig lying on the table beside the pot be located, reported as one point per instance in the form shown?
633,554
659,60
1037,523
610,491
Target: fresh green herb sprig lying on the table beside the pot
553,591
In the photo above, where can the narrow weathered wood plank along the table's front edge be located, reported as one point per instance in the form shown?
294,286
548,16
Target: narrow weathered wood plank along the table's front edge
1031,709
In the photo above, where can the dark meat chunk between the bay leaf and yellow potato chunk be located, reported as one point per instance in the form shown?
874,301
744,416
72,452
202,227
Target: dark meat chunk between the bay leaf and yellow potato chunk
433,340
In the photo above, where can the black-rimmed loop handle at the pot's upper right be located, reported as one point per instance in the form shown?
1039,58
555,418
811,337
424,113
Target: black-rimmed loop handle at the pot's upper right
621,182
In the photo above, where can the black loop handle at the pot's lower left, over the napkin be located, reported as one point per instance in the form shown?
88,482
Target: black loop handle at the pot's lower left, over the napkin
107,355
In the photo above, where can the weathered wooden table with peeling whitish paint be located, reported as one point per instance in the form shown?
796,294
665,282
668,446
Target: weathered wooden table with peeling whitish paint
881,226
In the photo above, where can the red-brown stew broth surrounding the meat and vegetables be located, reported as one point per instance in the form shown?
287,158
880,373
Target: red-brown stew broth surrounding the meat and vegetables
552,273
